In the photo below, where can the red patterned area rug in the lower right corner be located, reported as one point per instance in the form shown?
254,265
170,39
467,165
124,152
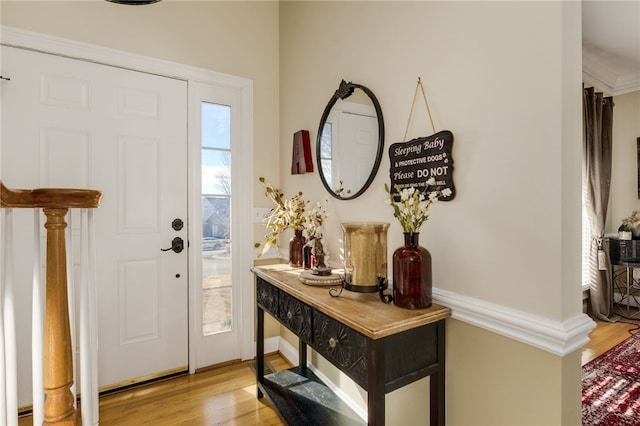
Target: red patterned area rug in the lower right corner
611,386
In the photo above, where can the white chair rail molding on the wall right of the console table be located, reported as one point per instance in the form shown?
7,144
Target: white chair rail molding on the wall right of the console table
558,337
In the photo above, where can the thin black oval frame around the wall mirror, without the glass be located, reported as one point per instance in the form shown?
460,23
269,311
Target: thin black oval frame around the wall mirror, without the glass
344,91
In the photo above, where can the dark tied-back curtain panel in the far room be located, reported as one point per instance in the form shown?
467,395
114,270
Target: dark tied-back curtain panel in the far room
597,149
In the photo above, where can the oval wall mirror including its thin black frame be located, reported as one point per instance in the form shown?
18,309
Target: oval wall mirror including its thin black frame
350,141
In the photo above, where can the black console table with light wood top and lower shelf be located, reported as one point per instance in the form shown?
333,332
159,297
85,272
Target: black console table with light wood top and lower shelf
380,347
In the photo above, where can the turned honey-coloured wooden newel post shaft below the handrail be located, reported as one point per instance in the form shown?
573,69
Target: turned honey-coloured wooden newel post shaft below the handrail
58,406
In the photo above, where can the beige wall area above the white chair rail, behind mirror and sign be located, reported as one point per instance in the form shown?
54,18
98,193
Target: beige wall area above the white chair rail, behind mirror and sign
500,96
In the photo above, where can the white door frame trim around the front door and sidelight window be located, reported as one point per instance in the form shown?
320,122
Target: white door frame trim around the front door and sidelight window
14,37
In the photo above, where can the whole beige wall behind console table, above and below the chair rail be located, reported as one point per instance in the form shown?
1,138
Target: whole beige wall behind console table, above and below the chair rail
505,78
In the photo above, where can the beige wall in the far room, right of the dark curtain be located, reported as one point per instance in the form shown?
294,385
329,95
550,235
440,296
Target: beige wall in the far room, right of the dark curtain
624,186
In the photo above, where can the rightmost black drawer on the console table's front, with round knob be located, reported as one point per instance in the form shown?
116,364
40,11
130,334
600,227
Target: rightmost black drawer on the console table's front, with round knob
346,348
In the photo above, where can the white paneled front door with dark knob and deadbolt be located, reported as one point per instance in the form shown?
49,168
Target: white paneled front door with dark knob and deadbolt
70,123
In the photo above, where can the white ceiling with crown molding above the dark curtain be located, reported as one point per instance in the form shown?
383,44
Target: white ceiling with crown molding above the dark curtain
611,45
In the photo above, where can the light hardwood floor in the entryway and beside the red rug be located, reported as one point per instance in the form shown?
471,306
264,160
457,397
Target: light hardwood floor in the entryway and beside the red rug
226,395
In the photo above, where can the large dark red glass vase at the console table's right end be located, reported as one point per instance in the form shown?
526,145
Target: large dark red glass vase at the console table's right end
412,286
